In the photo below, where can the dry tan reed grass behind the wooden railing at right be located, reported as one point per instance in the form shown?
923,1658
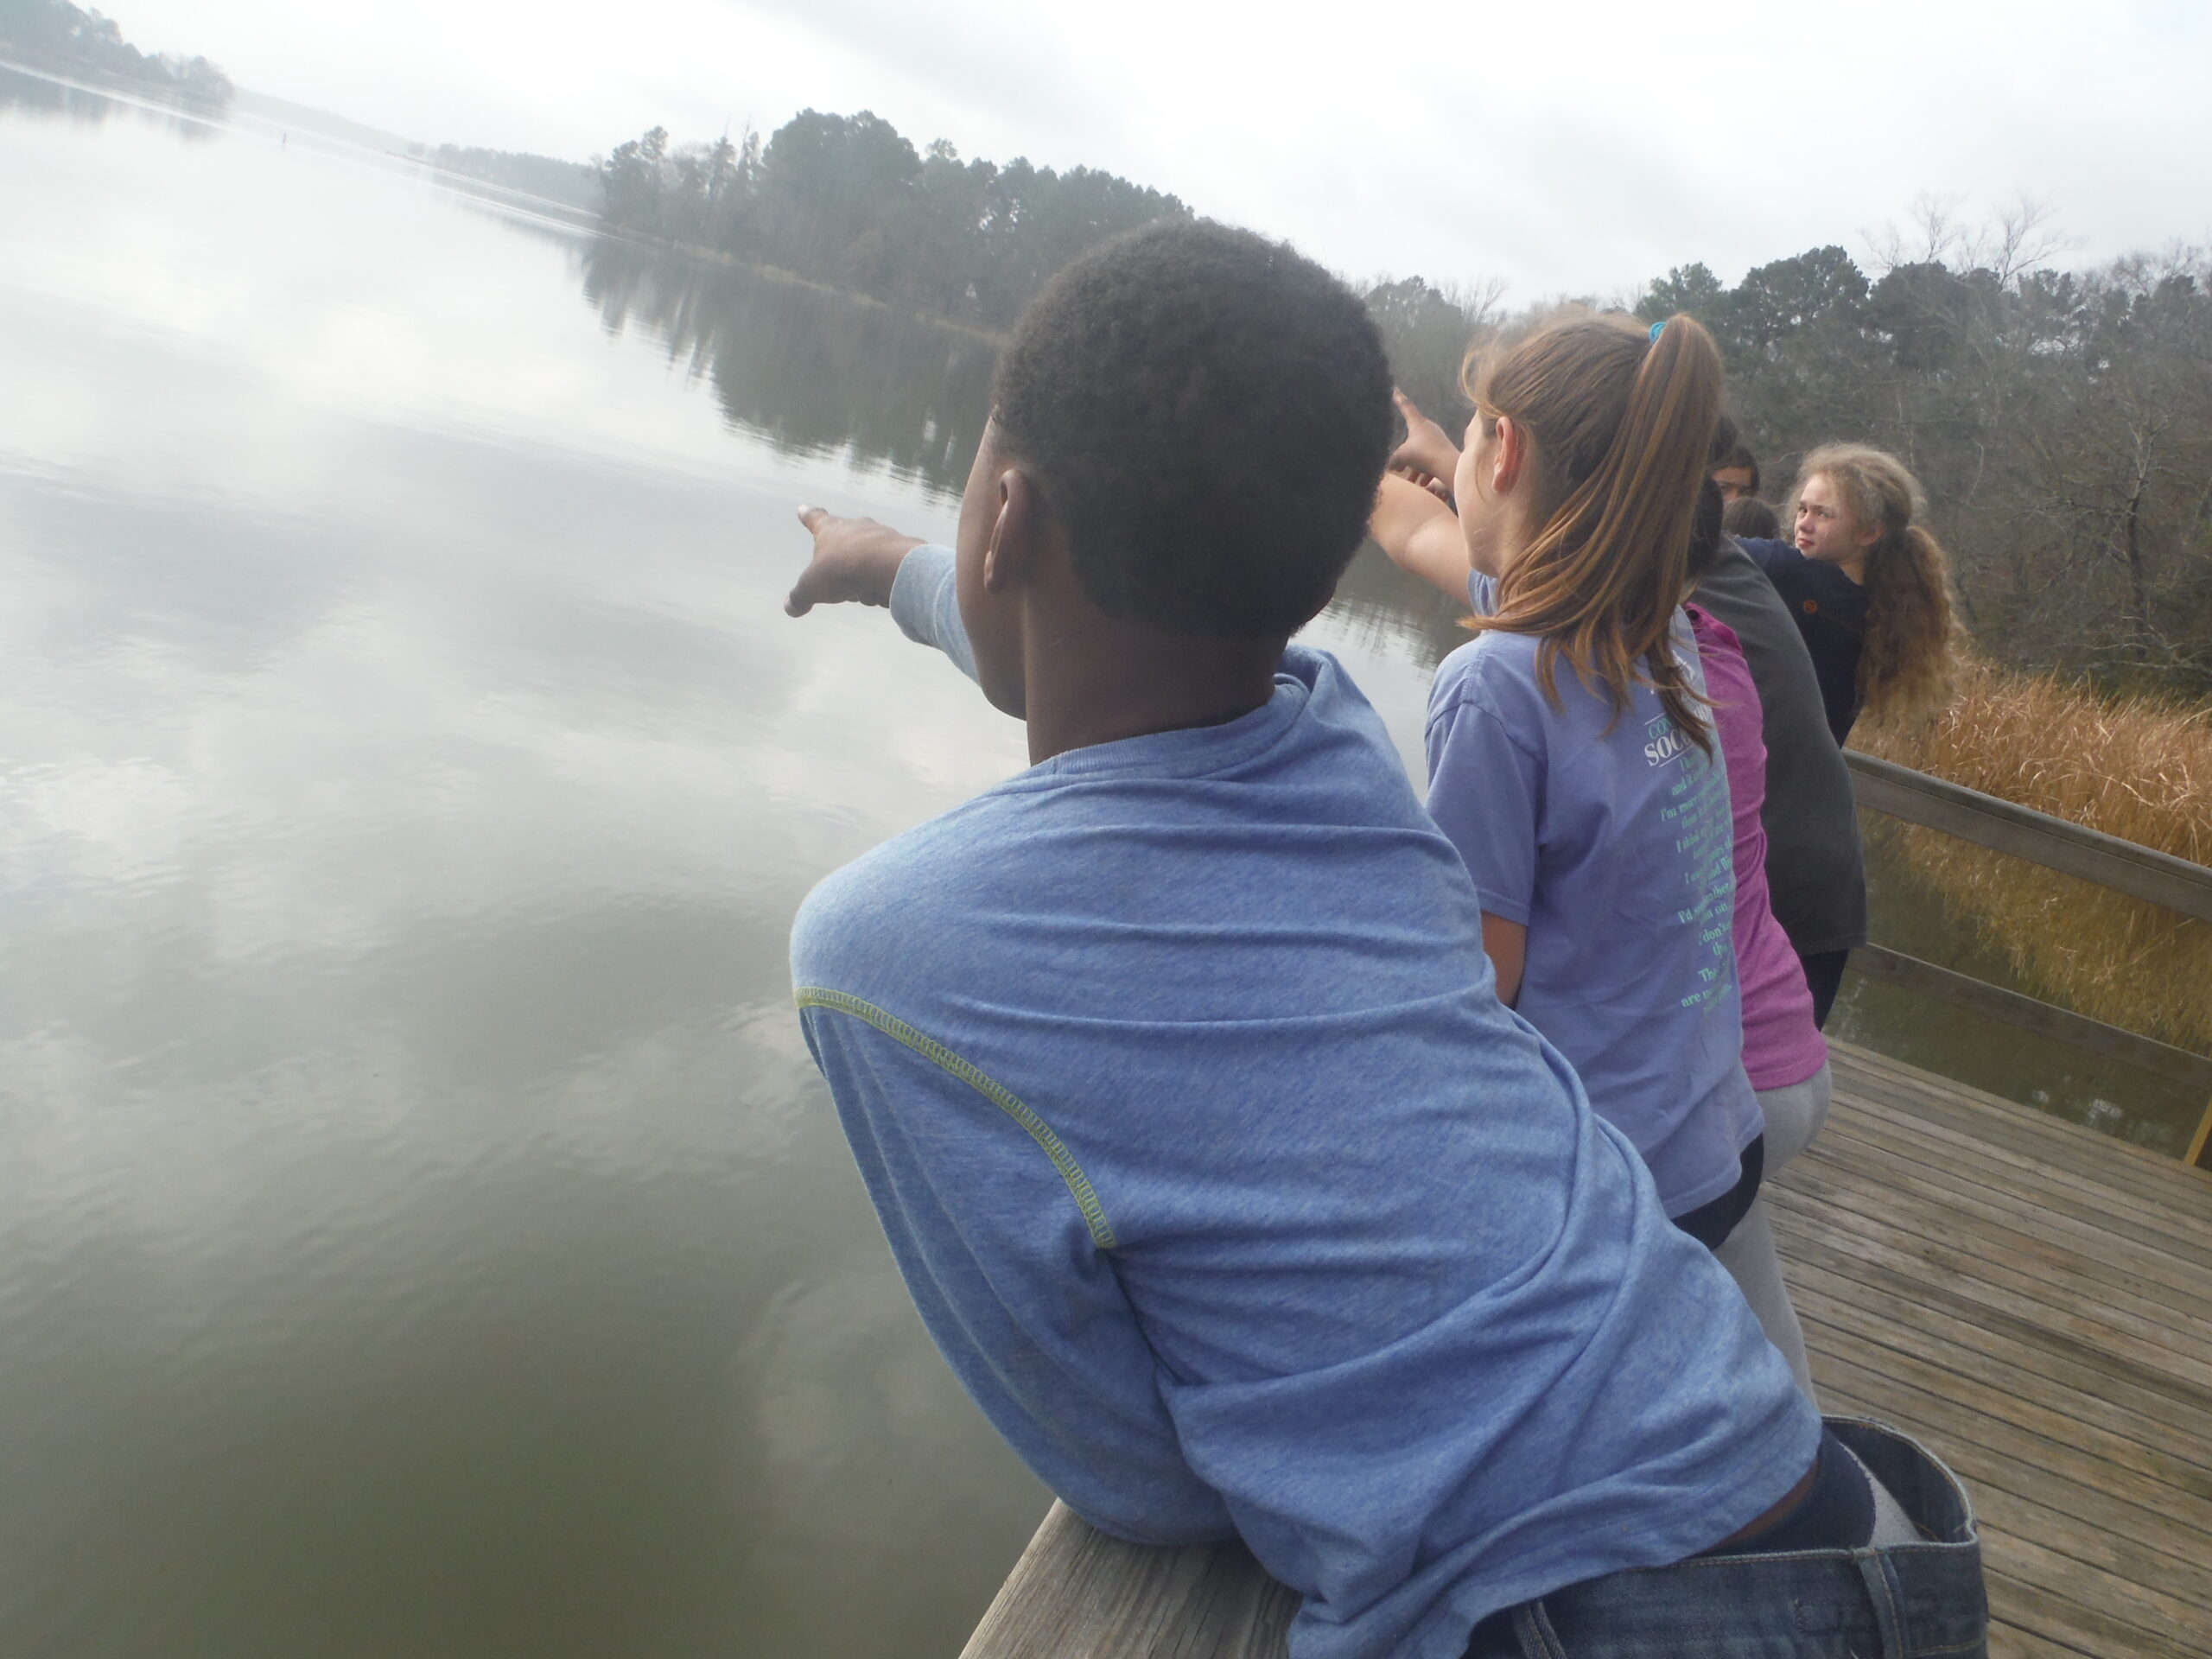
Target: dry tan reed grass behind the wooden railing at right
2133,769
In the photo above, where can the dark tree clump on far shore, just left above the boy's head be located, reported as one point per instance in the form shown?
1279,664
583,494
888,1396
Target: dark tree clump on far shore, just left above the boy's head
851,202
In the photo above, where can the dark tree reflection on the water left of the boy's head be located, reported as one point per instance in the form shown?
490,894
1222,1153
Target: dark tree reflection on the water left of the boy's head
804,368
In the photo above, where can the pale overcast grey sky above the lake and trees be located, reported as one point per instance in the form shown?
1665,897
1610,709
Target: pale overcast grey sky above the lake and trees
1563,149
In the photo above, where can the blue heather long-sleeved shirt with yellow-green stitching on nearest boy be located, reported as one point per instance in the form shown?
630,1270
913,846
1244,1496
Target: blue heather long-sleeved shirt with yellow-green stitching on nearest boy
1238,1200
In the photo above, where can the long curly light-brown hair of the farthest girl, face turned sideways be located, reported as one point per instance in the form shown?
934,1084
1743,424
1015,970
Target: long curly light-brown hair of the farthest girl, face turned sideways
1906,665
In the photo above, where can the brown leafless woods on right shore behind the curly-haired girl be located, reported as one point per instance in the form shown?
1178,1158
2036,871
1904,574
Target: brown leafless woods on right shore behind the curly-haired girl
2060,421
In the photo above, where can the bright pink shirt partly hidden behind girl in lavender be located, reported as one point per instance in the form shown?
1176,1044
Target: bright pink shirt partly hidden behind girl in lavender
1782,1045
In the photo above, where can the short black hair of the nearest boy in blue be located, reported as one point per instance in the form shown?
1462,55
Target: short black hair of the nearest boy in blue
1209,417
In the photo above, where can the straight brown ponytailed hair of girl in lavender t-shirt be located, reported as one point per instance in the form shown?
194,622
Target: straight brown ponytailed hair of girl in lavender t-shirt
1620,426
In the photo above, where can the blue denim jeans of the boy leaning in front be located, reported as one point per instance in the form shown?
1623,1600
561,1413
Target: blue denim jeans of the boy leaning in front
1903,1603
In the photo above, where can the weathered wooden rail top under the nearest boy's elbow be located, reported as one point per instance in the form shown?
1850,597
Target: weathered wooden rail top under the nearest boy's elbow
1078,1594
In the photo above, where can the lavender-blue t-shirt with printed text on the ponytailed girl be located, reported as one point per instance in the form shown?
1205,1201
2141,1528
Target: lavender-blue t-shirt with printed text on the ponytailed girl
1609,839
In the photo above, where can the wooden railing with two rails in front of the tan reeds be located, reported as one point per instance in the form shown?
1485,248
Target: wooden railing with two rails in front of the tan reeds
2054,844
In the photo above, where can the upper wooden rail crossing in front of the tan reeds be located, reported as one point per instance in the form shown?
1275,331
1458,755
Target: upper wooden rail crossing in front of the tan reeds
2038,837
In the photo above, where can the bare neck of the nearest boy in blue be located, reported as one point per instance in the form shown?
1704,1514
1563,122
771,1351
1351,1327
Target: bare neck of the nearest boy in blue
1098,685
